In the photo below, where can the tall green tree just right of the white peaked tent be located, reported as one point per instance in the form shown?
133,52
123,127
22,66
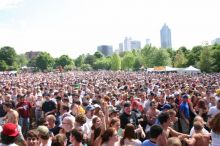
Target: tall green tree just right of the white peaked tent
205,60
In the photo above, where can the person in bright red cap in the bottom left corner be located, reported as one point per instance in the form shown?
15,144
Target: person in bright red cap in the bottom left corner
9,135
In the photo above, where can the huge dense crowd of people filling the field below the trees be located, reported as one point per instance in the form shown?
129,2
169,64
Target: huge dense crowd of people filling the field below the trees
106,108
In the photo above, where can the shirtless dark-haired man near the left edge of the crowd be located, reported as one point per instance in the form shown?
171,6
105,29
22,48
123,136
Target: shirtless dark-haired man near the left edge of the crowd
12,115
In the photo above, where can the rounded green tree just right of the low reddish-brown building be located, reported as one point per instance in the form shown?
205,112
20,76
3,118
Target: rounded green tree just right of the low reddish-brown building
44,61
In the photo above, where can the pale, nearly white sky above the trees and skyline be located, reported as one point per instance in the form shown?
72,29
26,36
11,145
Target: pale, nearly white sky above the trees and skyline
74,27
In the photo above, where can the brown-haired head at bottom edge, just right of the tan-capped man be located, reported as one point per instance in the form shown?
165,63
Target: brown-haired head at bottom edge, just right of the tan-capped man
59,140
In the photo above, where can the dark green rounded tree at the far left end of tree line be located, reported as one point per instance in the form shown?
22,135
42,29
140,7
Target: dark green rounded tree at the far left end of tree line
9,55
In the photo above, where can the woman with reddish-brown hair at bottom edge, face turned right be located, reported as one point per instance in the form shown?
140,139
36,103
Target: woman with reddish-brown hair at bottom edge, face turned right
109,137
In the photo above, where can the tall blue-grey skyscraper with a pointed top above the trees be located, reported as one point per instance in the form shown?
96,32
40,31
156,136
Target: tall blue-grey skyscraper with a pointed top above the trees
165,37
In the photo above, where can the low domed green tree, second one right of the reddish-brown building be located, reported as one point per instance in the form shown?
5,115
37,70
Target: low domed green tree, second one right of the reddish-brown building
63,61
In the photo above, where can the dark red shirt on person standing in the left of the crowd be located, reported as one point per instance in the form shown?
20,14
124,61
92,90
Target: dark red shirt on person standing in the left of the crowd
25,111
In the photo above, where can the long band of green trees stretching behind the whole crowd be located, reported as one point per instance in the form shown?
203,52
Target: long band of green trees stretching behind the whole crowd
207,58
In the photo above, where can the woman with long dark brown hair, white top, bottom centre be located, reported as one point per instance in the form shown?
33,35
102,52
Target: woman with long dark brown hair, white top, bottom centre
129,137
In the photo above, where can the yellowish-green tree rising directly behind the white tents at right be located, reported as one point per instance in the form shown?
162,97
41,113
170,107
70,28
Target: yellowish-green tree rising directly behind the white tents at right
180,59
